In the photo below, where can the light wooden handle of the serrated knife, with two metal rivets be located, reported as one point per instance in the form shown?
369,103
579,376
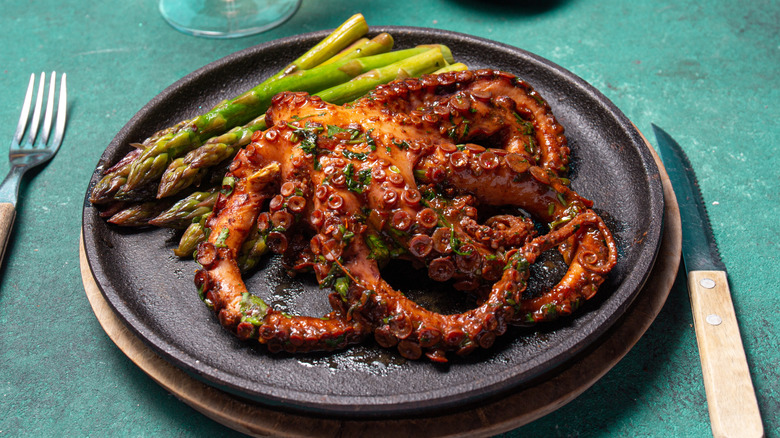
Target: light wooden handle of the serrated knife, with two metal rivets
730,394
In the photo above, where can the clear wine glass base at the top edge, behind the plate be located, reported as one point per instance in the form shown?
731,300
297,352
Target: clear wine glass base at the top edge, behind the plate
226,18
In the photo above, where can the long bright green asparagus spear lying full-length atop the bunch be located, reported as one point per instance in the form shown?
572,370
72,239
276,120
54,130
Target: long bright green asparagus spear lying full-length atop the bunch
155,159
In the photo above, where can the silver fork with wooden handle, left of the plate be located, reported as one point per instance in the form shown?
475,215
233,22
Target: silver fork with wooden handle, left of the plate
32,153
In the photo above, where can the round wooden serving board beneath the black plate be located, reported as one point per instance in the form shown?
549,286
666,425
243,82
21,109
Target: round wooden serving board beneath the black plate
492,418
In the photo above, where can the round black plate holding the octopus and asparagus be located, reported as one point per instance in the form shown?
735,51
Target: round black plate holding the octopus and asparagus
153,292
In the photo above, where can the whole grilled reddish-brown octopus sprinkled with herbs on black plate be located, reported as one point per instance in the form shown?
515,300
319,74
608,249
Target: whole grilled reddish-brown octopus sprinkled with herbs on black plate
421,170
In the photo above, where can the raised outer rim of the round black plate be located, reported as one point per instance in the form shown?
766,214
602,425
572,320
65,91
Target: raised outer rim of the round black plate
390,408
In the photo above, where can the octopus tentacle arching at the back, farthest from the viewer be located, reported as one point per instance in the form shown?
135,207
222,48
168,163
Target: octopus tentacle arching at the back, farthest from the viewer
480,105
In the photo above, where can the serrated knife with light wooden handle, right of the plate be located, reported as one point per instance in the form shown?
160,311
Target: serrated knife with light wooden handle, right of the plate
730,395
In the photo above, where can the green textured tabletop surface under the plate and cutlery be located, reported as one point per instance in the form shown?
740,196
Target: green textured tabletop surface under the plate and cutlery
706,72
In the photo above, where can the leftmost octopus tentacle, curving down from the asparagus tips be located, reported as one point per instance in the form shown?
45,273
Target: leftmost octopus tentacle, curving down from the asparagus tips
219,282
